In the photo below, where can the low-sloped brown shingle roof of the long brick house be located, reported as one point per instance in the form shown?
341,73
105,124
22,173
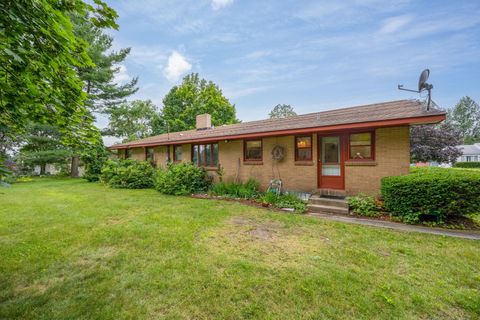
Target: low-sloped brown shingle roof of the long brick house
402,109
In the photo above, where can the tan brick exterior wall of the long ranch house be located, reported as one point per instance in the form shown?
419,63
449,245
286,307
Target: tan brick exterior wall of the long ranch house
392,157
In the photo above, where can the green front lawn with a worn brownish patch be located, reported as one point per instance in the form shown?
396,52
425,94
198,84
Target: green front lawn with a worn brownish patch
71,249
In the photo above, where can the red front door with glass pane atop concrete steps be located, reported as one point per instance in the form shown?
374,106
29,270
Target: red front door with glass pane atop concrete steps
330,162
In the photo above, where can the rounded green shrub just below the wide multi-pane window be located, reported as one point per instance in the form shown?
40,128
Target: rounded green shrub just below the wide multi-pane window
182,179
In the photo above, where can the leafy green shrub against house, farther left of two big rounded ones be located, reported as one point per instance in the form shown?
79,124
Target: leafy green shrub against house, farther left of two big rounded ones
129,174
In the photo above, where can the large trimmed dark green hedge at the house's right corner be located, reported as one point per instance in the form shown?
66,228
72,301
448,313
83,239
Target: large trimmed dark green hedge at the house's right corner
437,192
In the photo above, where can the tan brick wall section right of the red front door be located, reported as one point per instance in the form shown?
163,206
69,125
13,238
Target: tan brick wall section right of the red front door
392,158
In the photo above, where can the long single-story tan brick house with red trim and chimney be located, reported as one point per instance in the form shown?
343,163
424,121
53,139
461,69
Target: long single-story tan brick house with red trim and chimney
343,151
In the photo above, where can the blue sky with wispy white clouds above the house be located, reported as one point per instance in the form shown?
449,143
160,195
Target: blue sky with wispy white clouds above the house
313,55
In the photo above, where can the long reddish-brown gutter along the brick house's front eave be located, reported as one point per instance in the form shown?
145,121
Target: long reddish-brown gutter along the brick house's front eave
337,127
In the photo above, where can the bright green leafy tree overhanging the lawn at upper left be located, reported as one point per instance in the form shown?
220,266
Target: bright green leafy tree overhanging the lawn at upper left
39,61
